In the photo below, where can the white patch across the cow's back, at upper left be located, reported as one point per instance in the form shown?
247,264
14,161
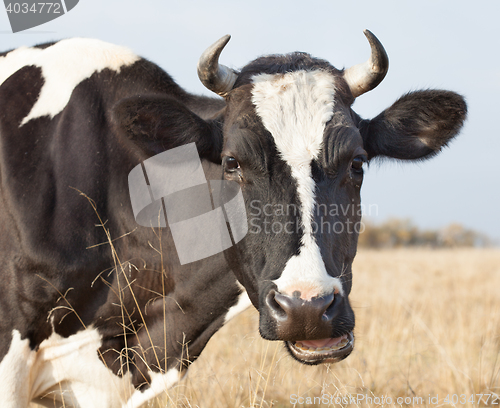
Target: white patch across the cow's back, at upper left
64,65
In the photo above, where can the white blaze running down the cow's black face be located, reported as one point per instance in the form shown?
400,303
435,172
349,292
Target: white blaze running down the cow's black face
295,108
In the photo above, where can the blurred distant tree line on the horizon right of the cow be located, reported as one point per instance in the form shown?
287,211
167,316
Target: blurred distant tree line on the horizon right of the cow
396,233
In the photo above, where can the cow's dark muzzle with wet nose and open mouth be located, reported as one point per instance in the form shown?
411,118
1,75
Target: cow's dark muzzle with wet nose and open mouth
315,331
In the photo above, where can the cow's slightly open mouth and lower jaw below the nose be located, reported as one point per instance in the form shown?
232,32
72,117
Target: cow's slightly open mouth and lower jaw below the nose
322,351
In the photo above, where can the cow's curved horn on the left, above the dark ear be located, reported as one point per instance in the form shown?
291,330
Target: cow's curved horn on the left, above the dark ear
216,77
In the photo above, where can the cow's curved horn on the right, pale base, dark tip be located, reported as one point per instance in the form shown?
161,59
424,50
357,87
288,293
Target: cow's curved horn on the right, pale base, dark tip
364,77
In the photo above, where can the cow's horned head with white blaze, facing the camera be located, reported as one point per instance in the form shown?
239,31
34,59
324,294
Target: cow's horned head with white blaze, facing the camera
289,137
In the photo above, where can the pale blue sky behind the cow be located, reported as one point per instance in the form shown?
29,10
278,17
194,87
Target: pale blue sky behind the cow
431,44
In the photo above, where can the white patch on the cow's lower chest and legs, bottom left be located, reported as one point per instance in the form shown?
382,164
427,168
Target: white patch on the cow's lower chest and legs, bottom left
69,372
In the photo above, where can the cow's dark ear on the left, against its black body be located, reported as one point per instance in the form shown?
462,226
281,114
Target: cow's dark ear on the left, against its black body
157,123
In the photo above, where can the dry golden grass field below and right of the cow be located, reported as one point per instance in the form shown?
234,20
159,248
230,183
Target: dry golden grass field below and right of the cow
428,327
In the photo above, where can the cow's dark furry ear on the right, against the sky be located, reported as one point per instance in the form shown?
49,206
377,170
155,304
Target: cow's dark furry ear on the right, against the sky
416,126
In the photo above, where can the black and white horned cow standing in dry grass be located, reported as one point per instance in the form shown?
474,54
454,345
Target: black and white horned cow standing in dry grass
97,311
